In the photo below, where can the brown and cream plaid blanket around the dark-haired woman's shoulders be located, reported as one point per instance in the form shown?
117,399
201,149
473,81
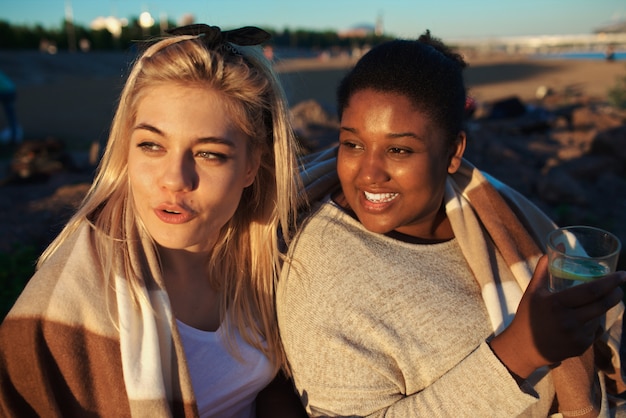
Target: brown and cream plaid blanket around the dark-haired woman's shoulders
485,215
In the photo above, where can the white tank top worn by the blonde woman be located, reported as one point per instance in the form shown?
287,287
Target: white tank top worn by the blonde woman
224,386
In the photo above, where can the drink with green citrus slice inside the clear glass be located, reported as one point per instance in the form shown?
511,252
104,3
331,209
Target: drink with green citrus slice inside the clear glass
565,273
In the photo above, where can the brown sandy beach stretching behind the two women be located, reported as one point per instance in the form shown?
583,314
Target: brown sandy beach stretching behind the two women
73,96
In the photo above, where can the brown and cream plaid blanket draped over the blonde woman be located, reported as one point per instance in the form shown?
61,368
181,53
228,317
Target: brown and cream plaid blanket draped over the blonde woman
77,345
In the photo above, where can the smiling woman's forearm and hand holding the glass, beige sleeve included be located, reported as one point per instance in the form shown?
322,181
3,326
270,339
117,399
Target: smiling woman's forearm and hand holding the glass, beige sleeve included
548,328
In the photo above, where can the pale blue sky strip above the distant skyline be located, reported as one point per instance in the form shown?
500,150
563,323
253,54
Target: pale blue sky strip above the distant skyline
405,18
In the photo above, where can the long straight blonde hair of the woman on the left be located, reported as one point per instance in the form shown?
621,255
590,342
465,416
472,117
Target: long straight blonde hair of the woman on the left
245,262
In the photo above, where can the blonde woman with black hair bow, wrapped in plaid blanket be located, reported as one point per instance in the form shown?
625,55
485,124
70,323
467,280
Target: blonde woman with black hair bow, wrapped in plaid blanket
157,298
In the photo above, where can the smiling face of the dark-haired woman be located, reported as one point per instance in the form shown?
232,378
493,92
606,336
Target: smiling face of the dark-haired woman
392,164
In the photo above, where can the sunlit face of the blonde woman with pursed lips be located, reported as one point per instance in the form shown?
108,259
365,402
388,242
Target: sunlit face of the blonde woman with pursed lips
188,165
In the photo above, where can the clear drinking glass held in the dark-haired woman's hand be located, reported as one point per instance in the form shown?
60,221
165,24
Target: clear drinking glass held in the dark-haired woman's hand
578,254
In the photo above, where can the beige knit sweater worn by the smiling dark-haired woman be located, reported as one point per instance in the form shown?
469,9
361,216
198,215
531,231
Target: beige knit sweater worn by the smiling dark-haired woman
373,326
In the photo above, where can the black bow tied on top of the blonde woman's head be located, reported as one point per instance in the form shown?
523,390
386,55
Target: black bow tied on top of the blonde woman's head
214,36
